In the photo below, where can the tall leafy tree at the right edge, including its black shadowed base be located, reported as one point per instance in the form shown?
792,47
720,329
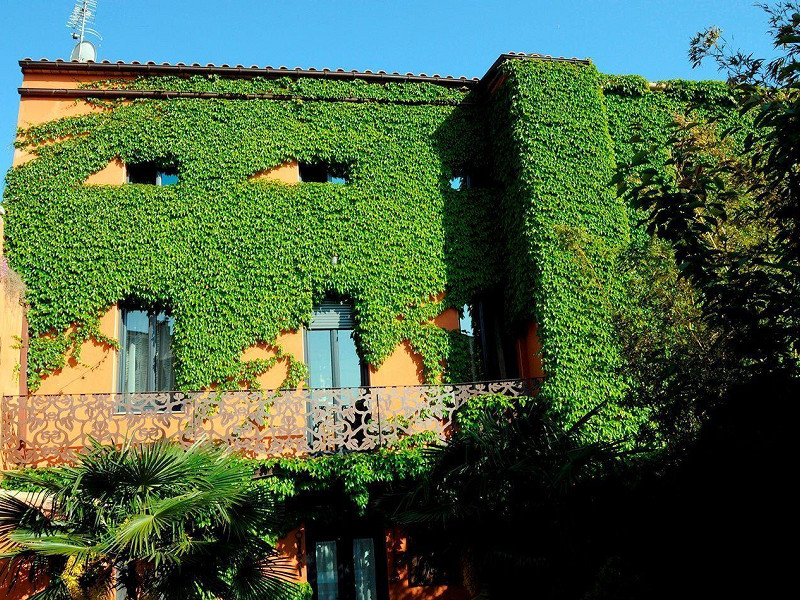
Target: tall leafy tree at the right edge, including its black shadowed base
703,518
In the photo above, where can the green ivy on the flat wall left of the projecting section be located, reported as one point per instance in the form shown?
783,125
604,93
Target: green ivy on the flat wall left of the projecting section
239,261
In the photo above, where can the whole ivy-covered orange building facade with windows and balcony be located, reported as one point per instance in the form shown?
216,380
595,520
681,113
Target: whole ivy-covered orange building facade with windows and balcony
318,268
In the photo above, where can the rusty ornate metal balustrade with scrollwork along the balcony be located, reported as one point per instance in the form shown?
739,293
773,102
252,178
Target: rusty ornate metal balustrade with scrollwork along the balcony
47,430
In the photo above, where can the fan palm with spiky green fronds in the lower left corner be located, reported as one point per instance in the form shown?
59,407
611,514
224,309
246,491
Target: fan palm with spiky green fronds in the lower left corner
157,520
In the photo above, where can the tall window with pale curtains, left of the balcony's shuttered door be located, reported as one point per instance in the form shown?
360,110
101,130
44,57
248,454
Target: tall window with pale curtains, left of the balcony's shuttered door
146,359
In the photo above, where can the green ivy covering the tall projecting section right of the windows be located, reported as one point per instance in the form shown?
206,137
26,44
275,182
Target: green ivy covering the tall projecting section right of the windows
565,228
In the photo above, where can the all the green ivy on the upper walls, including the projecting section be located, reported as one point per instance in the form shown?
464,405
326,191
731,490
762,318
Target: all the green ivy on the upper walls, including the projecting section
240,260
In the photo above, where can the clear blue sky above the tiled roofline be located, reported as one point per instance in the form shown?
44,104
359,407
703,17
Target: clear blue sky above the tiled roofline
463,37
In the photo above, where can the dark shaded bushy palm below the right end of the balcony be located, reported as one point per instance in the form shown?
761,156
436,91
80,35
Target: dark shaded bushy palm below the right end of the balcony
502,494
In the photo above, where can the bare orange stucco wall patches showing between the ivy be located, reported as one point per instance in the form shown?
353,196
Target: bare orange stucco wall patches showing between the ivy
97,371
